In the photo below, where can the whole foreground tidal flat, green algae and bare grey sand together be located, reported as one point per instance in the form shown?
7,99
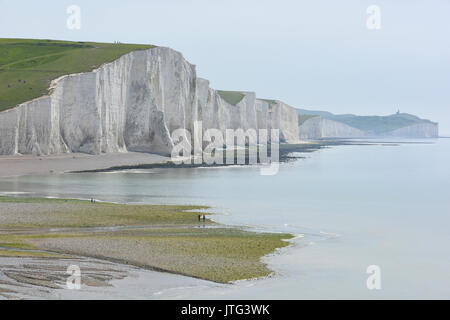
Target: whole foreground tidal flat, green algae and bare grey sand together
123,251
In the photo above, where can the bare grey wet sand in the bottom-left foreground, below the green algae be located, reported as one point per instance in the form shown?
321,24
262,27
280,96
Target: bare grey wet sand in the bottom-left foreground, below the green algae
45,278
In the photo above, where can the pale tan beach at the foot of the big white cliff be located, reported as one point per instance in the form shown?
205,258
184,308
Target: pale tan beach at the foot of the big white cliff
21,165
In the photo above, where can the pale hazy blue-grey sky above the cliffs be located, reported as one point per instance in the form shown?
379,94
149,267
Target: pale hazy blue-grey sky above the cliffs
311,54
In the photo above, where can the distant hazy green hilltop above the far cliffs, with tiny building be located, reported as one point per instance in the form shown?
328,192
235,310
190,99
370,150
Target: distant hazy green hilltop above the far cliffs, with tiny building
370,124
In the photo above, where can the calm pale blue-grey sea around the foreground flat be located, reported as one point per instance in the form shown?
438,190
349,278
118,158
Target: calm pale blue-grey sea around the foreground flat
386,204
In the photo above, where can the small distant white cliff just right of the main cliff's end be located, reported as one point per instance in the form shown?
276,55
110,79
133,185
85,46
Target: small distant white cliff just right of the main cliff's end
318,127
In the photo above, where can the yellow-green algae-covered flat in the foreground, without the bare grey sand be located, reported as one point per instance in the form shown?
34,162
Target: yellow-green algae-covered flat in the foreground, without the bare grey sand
157,237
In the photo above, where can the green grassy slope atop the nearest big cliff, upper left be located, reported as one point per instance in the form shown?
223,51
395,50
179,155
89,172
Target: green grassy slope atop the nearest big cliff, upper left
28,66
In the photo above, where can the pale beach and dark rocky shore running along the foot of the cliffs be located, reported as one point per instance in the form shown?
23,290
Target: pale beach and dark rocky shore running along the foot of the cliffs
26,165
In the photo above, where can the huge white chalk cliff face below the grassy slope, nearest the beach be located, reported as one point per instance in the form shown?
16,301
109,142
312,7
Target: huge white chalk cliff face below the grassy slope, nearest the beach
132,104
